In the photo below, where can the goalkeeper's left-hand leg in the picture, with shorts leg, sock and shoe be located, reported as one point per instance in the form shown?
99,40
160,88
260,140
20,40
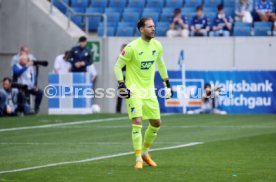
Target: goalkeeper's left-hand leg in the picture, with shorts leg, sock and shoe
134,107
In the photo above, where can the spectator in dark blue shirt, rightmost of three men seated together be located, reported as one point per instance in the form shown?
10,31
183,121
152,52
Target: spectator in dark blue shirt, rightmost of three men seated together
222,23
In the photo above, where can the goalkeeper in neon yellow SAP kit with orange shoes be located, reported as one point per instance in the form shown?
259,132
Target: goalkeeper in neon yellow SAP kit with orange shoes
140,57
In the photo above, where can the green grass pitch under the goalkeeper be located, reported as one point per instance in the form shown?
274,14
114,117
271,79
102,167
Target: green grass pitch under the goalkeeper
234,148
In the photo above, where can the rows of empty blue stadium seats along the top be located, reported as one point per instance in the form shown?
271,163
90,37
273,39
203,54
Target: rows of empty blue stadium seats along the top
126,13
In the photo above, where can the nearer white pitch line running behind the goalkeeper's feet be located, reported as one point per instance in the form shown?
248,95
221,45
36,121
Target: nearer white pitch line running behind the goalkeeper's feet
96,158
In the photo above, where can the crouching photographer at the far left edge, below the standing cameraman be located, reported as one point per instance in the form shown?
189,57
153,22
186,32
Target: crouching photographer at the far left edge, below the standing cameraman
8,98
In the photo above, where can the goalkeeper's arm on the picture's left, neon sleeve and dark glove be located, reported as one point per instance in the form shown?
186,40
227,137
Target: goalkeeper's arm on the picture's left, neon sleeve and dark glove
125,56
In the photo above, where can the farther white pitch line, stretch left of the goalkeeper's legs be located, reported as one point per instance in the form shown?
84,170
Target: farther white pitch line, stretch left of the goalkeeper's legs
62,124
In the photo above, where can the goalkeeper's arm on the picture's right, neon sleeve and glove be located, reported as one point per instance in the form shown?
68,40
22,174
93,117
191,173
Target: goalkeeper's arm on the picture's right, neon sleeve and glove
164,74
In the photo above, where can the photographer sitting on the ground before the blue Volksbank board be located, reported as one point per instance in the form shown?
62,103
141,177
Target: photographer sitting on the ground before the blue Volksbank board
209,101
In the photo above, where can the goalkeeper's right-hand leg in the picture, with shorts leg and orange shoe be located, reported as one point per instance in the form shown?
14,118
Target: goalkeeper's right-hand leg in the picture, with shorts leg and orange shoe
150,111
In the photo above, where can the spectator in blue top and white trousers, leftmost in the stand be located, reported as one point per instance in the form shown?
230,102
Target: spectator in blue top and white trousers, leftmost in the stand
178,26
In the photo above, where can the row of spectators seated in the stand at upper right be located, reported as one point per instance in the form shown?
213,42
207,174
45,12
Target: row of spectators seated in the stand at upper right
222,24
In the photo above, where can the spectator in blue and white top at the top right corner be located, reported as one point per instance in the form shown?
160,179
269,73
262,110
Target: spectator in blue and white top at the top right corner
264,9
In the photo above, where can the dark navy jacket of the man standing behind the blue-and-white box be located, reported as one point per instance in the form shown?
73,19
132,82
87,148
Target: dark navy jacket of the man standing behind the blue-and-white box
79,54
